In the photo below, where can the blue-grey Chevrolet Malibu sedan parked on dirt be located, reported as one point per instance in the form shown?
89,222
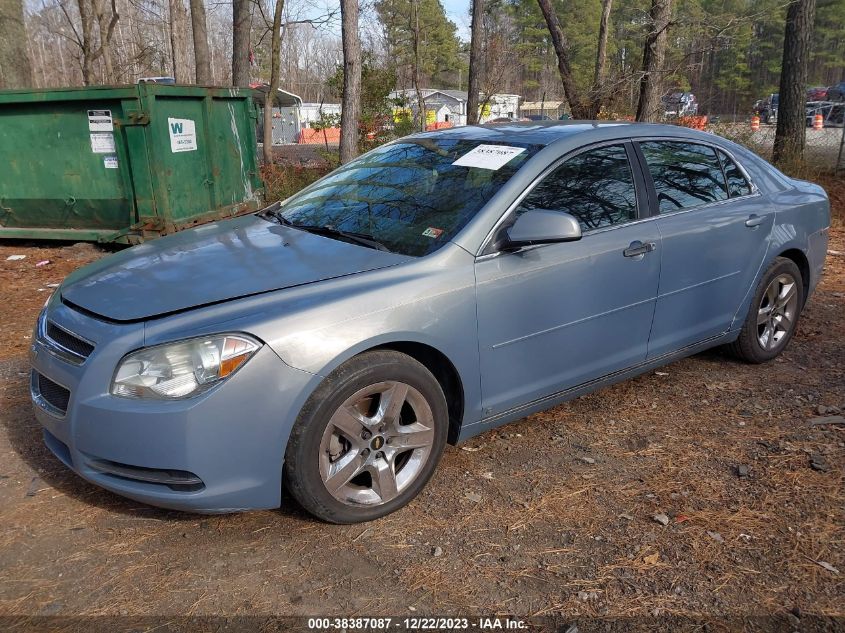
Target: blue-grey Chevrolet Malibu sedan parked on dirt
437,287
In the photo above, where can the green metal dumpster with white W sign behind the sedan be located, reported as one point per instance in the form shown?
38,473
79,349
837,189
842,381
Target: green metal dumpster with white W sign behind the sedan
125,163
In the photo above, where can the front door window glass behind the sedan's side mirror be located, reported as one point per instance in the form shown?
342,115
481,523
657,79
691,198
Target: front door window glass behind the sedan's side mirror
596,186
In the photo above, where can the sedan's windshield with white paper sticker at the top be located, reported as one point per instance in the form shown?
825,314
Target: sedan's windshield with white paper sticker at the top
411,196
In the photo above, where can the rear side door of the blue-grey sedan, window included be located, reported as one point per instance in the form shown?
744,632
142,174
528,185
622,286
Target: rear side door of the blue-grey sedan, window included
714,230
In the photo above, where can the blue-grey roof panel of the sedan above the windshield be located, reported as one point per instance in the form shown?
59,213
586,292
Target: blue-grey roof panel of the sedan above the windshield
548,132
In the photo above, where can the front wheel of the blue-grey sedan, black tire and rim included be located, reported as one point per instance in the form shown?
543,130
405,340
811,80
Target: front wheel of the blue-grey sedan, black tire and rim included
355,454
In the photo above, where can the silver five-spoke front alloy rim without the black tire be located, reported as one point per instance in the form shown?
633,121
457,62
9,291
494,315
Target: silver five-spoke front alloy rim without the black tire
376,443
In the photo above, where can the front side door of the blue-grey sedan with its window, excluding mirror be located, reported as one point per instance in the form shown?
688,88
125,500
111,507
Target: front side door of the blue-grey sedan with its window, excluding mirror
556,316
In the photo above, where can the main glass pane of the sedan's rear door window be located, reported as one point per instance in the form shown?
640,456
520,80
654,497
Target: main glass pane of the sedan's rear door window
685,175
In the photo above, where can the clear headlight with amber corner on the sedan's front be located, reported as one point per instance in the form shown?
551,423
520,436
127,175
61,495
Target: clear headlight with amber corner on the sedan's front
183,369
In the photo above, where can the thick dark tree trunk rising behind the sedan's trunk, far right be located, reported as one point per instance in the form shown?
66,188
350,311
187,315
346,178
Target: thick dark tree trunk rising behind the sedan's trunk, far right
791,127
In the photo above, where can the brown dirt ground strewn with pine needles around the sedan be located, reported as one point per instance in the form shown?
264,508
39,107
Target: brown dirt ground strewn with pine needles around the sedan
554,515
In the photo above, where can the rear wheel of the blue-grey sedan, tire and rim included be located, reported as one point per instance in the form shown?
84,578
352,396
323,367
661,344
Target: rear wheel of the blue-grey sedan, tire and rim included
782,287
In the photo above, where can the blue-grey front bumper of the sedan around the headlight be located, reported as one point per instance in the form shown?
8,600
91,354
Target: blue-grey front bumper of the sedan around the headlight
219,452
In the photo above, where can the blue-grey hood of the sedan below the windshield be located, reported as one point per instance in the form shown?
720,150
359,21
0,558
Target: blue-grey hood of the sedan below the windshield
213,263
